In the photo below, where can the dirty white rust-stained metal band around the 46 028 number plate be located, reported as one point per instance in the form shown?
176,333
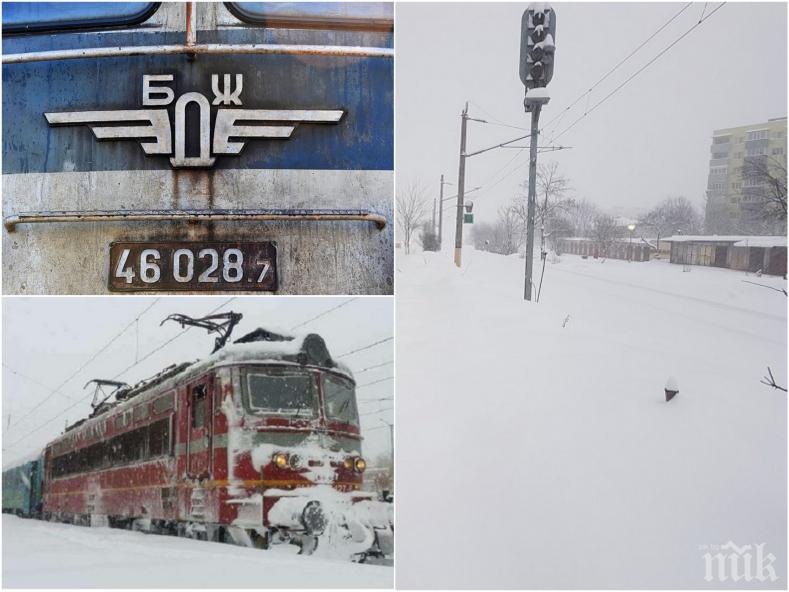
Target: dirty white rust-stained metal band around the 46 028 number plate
314,257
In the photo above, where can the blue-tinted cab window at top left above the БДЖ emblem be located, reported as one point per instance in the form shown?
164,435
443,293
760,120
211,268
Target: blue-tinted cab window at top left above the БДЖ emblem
31,17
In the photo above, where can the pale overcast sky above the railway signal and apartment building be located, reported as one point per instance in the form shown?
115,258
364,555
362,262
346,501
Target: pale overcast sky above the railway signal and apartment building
649,141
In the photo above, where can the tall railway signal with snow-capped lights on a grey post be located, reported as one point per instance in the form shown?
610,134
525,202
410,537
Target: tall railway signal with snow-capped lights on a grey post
538,35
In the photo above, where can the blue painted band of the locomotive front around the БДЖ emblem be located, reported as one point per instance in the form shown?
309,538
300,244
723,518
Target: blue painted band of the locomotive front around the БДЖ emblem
363,87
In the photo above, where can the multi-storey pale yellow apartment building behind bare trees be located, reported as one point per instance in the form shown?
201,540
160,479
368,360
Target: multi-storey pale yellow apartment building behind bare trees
728,194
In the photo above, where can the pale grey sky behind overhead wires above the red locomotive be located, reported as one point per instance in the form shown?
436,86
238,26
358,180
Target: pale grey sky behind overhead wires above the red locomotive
47,339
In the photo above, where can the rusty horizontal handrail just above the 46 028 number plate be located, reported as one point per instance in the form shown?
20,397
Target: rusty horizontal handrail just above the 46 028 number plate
243,215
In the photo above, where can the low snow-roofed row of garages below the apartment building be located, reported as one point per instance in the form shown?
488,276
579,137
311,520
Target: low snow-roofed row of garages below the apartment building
745,253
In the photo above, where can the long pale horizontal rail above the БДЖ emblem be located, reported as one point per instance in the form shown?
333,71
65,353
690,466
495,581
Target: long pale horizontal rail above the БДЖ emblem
206,49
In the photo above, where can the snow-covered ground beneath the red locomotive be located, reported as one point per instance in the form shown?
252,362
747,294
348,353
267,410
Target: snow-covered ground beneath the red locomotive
48,555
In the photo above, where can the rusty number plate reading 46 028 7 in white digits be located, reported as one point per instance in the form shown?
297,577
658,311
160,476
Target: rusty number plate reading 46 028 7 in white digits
212,266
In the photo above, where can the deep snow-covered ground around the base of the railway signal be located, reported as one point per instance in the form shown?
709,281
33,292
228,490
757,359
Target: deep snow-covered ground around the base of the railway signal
535,447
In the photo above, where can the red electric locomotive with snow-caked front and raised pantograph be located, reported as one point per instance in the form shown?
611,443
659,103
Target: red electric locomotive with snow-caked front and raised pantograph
257,444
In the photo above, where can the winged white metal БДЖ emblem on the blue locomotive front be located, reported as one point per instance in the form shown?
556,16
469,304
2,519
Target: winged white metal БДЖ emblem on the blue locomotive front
151,126
